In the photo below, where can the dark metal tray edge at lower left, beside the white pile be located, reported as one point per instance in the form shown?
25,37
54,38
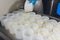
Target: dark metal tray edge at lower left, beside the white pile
5,34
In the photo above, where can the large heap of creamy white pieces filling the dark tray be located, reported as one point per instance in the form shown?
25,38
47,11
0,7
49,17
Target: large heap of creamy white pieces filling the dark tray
31,26
